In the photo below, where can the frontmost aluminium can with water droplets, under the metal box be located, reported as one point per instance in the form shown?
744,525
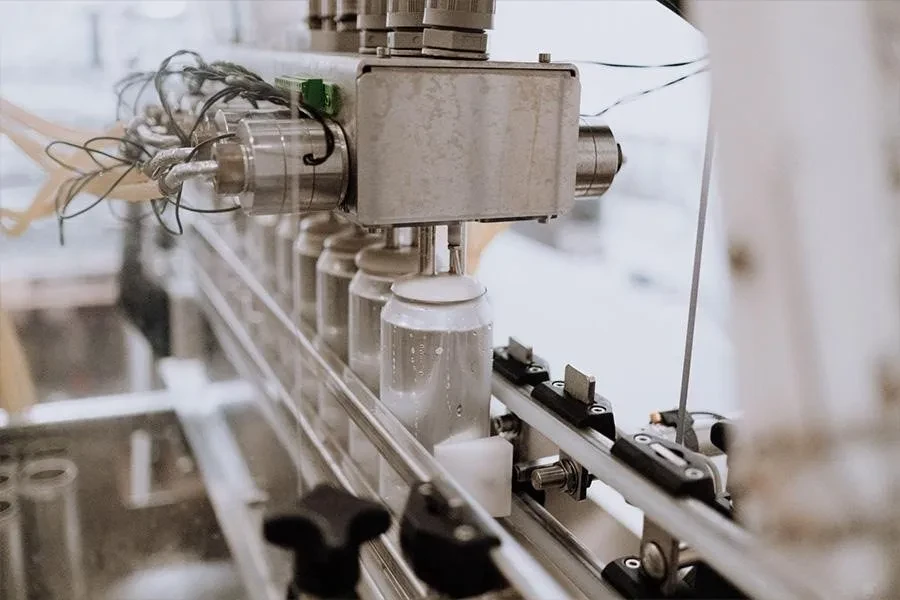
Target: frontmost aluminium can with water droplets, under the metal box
436,336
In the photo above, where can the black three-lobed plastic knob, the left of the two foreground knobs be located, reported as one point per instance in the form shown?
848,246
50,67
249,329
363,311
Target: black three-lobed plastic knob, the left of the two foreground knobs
325,533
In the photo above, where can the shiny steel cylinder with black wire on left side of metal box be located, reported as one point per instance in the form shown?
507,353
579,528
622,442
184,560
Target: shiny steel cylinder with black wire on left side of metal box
277,178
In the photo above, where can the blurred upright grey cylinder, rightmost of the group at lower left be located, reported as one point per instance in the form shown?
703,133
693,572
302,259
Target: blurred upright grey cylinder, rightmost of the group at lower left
49,507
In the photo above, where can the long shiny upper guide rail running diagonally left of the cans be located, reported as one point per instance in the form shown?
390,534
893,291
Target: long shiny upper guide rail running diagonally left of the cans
387,434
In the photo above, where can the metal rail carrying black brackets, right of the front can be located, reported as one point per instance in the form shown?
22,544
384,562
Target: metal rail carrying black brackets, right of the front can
723,544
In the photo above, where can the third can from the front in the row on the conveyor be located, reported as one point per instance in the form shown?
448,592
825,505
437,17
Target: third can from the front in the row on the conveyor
335,269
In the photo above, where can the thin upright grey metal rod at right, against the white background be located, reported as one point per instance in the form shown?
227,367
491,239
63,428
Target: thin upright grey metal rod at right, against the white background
695,280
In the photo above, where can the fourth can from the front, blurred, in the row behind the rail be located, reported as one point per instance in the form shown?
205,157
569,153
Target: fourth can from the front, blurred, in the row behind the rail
313,231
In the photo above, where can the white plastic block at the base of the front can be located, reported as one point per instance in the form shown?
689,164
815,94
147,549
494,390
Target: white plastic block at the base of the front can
484,468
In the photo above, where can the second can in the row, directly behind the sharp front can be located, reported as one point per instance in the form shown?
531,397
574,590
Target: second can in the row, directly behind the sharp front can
379,266
